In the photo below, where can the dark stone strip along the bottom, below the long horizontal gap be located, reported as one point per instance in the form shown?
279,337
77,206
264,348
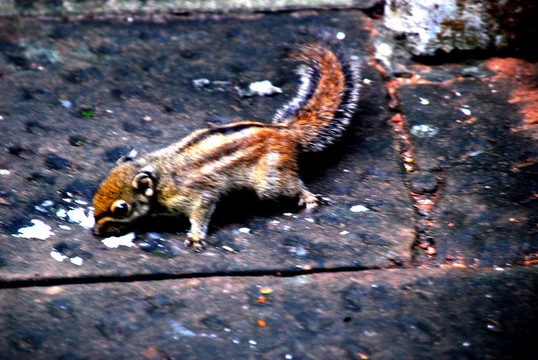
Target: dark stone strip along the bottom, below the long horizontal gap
391,314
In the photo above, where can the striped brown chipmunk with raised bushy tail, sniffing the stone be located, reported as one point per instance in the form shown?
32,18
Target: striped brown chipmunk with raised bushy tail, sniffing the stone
189,177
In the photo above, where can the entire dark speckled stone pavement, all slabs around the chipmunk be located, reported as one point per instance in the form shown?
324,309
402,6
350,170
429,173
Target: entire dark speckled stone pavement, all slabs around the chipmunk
353,280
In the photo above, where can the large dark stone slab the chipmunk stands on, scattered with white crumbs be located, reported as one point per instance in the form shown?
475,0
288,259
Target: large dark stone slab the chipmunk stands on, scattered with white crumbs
79,95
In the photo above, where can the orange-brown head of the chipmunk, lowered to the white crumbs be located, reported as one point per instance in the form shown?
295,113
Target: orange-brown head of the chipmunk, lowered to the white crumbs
124,197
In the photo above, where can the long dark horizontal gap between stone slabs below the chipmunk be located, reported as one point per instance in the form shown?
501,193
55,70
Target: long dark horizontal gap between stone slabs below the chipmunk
87,280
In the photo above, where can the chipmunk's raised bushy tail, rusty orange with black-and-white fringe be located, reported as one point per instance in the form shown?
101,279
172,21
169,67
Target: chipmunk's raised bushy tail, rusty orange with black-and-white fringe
327,96
